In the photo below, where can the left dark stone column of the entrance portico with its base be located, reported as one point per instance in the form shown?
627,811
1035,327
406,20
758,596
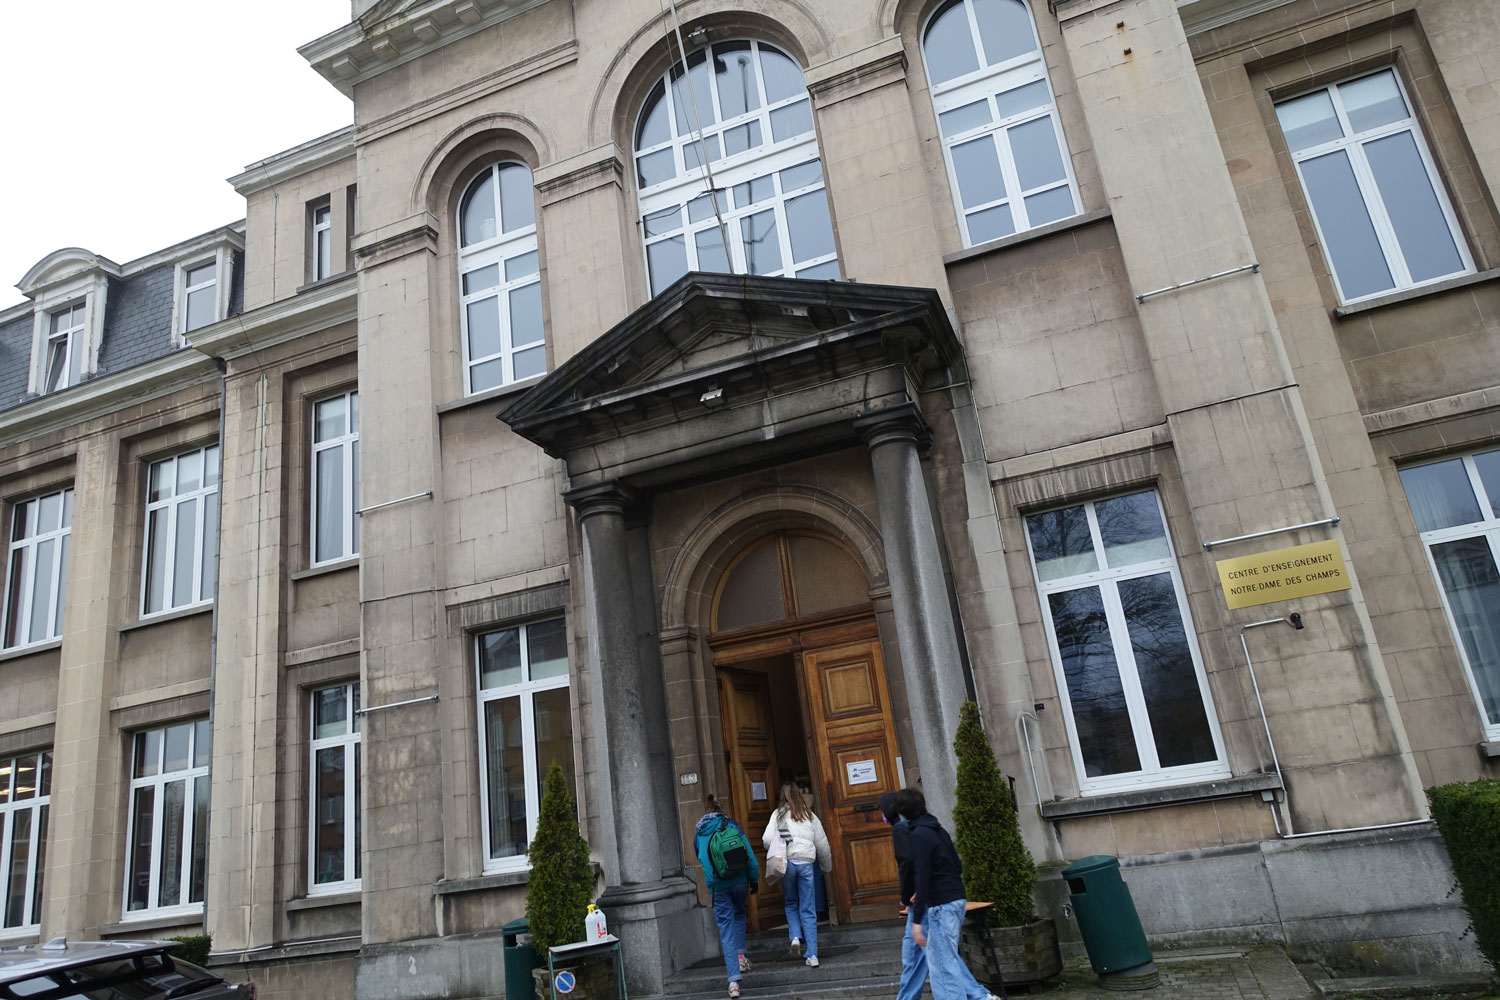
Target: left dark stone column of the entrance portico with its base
652,915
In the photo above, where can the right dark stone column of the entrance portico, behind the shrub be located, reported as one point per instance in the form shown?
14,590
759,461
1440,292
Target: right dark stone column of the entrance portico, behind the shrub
925,618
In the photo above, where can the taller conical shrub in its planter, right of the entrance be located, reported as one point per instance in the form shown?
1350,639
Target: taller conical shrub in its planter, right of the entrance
1006,942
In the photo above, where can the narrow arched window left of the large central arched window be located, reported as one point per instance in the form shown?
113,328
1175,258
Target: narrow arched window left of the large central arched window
499,283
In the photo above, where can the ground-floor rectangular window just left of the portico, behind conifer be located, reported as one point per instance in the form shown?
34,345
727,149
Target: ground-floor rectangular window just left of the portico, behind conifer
526,726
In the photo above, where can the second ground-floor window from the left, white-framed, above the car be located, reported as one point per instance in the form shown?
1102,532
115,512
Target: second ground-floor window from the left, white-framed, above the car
169,833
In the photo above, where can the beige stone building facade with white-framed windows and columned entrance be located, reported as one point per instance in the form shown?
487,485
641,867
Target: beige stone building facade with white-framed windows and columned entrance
463,455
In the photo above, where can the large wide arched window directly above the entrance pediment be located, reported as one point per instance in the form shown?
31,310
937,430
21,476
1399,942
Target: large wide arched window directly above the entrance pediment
745,109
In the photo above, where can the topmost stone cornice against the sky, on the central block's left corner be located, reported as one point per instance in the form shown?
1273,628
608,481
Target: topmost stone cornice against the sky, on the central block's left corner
362,52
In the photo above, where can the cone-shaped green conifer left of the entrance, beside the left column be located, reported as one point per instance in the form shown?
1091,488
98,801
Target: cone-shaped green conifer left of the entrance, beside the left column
562,882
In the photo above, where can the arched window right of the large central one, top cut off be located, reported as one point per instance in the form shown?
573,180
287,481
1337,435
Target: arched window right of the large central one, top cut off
1007,161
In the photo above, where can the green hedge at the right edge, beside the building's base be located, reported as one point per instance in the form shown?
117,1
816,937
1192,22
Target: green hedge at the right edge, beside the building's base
1469,818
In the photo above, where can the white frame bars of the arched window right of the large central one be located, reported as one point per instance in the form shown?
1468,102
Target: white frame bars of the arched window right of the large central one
988,85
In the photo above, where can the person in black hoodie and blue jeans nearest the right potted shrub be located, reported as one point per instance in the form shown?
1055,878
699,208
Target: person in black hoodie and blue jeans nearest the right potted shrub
938,902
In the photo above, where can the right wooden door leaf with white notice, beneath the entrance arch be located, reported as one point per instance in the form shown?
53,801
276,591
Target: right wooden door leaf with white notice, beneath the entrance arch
856,746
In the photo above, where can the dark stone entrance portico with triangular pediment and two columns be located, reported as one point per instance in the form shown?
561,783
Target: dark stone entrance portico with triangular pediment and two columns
715,379
